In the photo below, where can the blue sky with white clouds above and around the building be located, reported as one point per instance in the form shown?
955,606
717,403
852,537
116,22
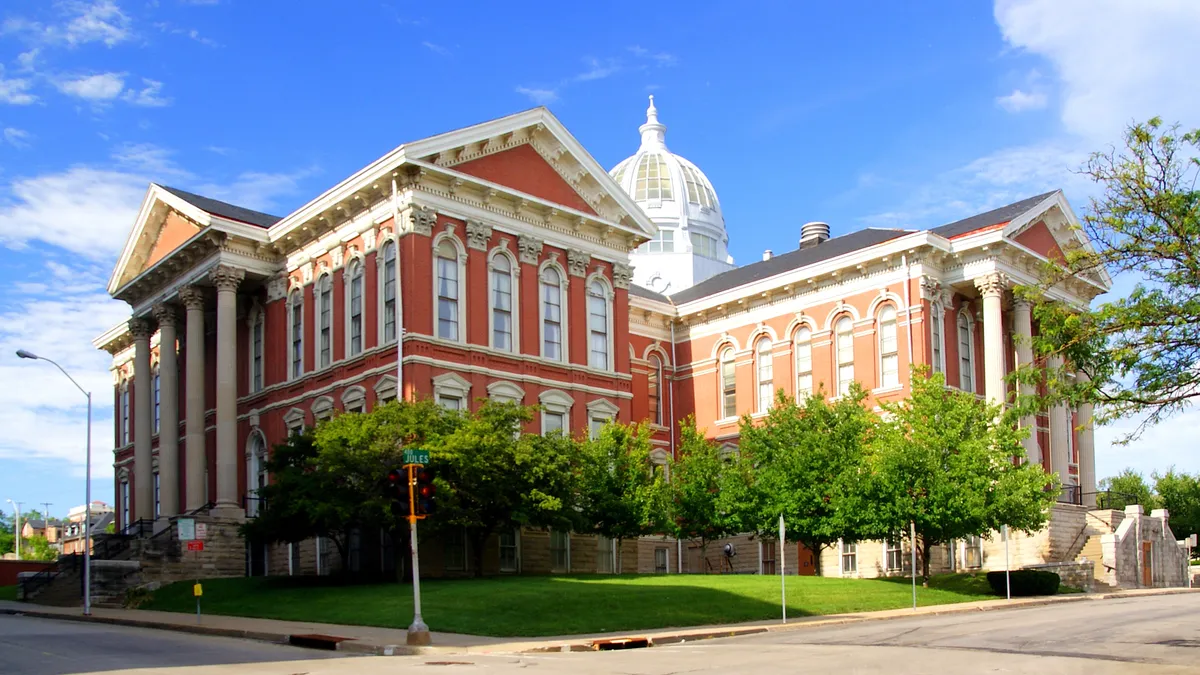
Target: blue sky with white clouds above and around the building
855,114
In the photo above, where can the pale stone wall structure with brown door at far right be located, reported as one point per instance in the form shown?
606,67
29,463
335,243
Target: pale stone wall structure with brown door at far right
1144,543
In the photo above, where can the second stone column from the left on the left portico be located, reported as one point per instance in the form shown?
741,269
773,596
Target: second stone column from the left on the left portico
169,413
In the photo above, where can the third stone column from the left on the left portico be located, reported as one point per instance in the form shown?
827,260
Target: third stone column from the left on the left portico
194,428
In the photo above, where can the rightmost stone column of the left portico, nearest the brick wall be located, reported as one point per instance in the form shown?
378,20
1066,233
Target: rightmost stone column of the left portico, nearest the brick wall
227,279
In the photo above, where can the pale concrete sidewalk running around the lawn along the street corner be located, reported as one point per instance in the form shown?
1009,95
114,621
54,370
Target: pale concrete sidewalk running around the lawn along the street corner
391,642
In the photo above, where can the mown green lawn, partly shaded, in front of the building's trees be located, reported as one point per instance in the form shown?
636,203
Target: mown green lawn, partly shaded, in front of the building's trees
560,606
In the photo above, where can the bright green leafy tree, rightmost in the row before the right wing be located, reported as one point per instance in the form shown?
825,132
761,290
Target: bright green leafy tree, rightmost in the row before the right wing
951,464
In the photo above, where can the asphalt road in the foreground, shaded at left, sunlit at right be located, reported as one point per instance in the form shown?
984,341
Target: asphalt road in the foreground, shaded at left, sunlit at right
1133,636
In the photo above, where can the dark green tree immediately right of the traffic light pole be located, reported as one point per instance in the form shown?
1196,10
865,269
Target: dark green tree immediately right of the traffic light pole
491,477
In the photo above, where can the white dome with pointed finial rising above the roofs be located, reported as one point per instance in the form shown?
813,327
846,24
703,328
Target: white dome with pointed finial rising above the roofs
681,201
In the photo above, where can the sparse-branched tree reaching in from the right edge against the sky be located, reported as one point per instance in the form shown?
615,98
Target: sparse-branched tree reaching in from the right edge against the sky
1141,351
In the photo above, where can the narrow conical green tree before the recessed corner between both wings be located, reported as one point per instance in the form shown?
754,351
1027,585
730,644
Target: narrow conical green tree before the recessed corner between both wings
693,506
